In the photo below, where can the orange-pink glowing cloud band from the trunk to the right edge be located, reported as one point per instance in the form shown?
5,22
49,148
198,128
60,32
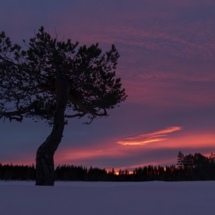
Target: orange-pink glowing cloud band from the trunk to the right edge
118,151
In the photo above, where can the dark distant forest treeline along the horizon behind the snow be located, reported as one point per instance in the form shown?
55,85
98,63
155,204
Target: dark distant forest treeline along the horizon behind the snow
188,168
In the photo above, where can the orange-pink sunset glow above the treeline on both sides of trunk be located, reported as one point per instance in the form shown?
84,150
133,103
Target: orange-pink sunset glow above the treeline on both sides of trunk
113,150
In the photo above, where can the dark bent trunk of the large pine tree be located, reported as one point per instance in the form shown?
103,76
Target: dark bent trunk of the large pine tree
45,153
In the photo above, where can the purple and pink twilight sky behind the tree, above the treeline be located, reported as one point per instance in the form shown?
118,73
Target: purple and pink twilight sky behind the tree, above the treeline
167,66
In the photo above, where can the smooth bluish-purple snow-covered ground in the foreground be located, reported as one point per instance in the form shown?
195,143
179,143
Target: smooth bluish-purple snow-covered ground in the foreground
108,198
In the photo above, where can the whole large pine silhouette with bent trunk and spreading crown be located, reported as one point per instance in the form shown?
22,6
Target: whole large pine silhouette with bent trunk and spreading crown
54,81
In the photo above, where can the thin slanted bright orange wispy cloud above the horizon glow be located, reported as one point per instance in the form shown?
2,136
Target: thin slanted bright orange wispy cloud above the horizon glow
143,139
